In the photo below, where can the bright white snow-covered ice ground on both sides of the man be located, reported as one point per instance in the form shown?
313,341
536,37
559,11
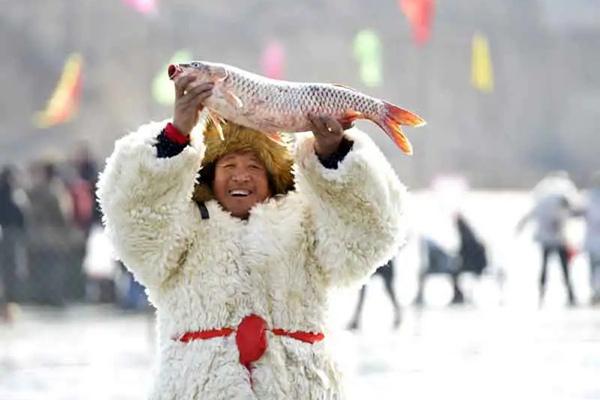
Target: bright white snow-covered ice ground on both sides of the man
500,345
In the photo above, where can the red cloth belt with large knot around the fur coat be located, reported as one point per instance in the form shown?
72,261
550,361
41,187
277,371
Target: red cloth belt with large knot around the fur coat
250,337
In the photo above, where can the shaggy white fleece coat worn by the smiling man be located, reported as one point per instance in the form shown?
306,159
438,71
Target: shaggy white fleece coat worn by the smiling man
334,230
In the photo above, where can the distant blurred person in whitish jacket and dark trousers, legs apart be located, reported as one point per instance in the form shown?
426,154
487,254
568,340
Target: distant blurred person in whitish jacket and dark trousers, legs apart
553,207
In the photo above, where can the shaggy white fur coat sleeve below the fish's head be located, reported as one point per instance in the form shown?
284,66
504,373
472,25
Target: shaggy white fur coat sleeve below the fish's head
146,202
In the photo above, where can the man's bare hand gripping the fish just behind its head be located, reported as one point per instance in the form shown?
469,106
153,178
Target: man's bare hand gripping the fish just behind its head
190,93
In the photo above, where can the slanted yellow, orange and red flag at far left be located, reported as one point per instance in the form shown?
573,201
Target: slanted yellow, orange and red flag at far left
64,102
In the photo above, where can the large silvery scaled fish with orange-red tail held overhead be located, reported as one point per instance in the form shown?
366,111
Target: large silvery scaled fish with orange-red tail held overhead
273,106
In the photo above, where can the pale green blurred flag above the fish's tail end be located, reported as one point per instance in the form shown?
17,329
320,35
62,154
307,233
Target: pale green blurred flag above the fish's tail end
367,51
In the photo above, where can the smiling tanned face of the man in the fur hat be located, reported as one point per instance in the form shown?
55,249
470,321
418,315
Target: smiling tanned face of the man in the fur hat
240,182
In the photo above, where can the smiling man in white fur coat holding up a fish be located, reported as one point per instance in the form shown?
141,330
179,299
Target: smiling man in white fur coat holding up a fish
238,241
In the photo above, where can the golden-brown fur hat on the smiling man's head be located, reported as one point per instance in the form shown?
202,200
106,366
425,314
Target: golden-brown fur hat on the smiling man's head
276,157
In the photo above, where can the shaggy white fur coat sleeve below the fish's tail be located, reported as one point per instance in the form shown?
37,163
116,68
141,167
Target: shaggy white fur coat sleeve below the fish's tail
356,209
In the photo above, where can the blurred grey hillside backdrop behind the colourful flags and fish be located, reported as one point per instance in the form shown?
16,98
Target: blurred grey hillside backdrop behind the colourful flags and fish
543,114
